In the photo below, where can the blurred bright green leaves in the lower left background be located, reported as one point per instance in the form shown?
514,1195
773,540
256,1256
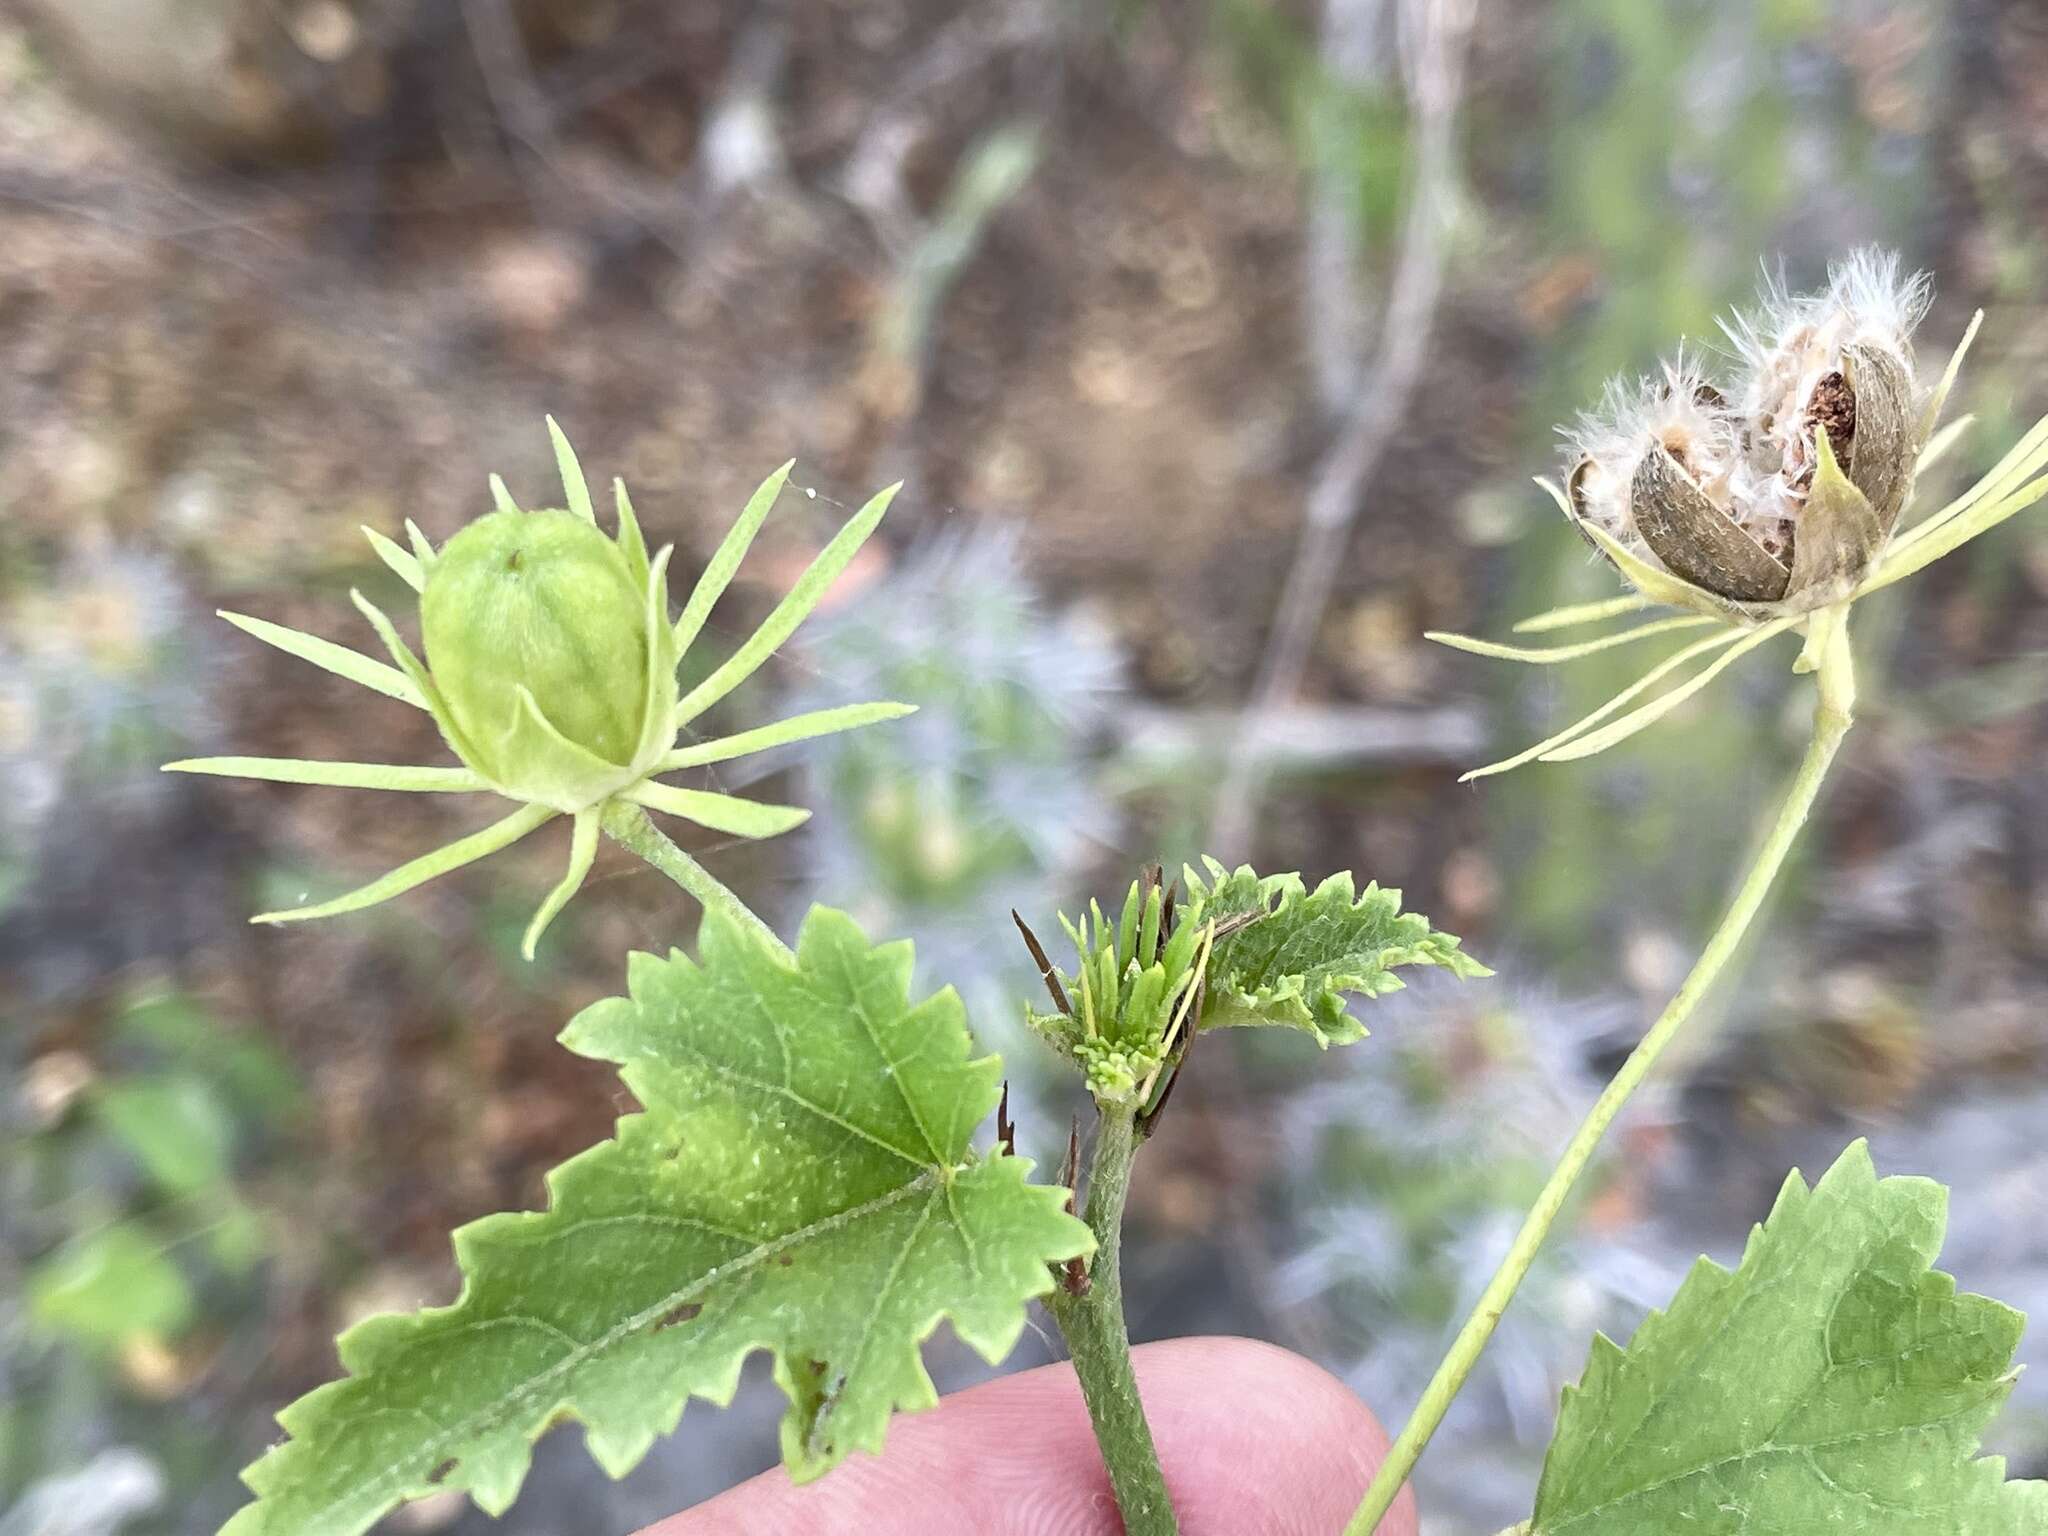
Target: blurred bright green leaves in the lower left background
138,1232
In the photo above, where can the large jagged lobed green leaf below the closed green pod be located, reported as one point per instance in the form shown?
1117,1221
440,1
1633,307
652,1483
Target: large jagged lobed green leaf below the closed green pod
800,1183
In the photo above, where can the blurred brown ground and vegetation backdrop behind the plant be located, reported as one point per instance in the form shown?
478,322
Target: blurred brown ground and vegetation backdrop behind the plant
1132,294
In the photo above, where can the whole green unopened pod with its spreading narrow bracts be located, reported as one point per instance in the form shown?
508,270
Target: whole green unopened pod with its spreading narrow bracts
552,671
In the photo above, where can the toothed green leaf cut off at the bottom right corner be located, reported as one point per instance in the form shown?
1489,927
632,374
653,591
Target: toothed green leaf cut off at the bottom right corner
1832,1383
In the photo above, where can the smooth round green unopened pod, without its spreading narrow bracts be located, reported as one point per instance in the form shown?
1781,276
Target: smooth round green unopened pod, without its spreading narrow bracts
538,636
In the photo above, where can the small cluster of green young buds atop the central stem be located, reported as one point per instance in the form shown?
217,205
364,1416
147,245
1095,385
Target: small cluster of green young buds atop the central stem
1127,1013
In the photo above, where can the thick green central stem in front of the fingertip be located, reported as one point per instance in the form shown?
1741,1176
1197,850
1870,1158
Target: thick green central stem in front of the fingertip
1101,1349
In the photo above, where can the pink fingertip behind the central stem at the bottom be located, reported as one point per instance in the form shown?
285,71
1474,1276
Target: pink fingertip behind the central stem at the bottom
1254,1443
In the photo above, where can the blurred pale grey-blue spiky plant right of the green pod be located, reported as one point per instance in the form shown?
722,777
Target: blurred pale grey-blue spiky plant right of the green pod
984,800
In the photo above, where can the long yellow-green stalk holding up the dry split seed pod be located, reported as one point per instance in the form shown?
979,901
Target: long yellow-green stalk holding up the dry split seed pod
1830,648
